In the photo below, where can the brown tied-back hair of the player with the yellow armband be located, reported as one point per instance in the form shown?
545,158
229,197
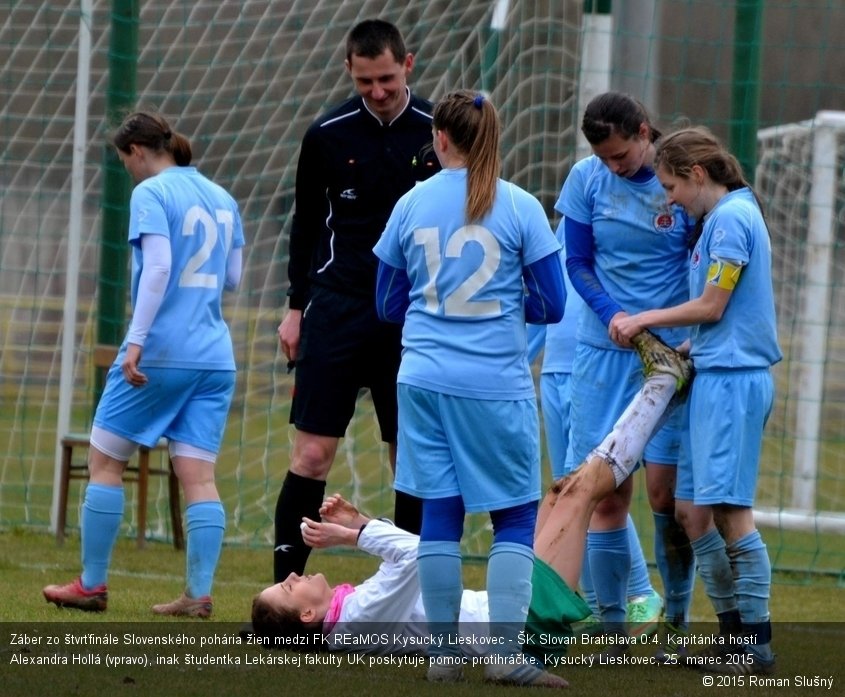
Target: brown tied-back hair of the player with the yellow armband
678,152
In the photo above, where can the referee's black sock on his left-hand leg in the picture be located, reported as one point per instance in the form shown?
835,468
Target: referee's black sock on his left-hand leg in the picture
300,496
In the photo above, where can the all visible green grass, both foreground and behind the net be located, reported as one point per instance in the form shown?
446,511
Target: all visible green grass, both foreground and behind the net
806,599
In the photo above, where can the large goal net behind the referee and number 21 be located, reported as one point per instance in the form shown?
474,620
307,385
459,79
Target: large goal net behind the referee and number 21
242,80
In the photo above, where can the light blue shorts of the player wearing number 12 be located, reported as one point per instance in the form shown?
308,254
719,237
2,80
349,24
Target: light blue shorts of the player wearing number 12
486,451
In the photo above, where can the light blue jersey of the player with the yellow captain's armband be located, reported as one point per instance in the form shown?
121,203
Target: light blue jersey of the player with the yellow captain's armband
746,335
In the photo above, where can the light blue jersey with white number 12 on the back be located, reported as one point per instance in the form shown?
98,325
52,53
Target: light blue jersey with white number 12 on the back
464,332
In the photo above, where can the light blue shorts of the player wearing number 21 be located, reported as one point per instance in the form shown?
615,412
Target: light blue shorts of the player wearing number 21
187,406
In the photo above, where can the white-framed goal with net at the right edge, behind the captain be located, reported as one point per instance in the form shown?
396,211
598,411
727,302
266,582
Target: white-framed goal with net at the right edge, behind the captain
799,178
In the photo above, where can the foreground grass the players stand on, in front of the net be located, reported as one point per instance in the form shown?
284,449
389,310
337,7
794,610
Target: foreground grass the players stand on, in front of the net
809,633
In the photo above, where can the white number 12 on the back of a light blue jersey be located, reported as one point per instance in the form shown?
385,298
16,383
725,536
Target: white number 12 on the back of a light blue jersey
459,302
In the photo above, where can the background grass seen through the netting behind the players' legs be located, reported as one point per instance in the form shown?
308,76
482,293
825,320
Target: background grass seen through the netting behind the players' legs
255,457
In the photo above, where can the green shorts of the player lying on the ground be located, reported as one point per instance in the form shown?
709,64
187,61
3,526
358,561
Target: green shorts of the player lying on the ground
554,606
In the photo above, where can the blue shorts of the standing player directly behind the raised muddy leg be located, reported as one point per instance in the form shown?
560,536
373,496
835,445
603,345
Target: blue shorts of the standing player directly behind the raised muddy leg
604,381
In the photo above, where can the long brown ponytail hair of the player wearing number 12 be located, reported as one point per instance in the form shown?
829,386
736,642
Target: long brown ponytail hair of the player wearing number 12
471,122
